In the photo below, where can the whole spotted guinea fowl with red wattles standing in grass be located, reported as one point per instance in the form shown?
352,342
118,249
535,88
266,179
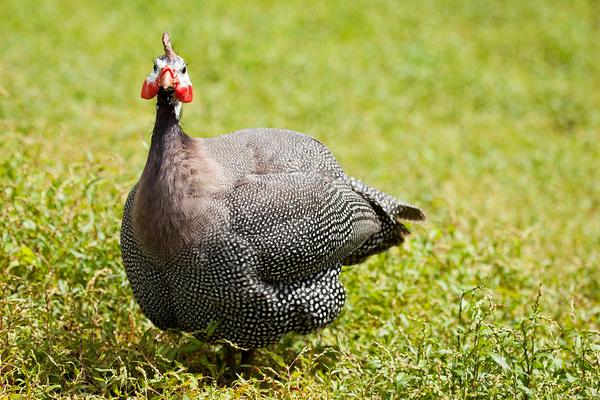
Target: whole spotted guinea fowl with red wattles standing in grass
243,236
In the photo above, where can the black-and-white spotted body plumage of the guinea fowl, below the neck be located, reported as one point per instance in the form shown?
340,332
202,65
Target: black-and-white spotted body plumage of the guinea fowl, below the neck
291,219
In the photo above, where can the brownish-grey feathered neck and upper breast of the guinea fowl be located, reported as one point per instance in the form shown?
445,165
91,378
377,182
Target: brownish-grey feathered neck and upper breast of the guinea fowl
162,210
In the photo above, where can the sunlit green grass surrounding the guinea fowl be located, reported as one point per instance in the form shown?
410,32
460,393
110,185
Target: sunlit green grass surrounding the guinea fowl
486,114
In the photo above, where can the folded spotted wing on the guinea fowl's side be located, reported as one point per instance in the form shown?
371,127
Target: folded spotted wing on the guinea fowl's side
298,223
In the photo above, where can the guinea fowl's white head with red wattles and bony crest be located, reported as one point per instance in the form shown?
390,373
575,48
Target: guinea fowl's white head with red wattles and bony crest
169,75
